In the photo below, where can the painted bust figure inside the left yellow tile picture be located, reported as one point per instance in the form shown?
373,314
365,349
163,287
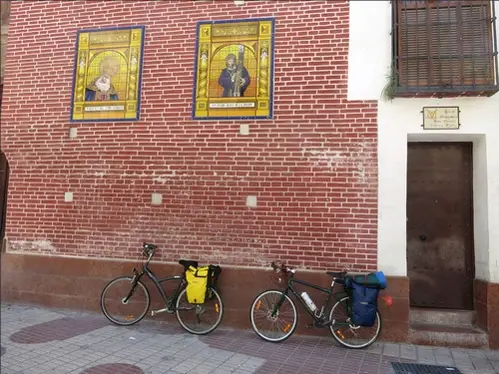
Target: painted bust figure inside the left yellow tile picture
101,88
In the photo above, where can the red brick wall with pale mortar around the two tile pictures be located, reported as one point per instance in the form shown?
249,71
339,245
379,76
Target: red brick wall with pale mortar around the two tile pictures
313,167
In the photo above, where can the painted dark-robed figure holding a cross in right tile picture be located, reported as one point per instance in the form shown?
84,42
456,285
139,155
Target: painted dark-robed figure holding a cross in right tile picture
234,78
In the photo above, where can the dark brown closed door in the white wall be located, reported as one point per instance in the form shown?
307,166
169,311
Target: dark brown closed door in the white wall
440,256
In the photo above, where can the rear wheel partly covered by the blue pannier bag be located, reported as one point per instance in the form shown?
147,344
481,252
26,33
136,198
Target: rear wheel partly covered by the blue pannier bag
342,328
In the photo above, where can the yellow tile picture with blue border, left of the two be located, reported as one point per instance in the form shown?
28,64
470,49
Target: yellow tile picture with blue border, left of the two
107,74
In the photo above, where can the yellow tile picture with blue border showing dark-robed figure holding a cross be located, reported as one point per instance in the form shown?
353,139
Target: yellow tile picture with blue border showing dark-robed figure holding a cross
234,69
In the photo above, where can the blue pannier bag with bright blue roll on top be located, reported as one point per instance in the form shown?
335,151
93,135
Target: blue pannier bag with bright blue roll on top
363,291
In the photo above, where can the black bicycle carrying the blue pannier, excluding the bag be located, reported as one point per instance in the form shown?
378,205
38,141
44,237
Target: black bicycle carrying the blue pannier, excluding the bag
274,315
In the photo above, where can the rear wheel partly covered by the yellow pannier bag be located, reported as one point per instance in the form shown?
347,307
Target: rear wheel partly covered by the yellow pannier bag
199,319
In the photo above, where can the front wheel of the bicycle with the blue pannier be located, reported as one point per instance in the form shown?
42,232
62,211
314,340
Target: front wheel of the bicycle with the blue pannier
275,328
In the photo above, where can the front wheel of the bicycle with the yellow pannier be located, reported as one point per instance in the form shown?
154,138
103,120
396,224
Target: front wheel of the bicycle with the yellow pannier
116,309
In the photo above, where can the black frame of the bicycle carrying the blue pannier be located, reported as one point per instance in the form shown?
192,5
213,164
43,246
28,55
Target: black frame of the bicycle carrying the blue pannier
329,292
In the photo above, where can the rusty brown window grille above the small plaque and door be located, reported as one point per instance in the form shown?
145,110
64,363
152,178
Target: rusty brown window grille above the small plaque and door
445,46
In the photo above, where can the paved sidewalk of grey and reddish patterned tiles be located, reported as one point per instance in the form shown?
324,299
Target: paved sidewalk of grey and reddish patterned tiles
39,340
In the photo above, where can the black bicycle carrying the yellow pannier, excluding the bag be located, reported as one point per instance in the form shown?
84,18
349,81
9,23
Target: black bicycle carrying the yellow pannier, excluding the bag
126,300
